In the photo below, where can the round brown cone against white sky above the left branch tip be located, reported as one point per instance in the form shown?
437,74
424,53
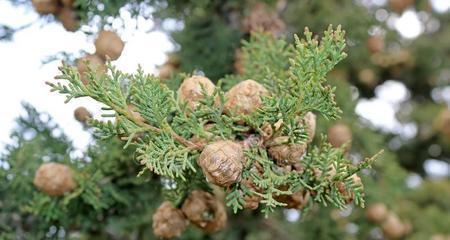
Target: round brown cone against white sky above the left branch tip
108,43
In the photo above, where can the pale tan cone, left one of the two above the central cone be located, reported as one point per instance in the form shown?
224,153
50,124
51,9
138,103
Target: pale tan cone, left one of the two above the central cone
191,90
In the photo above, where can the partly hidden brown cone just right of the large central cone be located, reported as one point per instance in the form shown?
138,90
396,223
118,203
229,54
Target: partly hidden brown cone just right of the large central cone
287,154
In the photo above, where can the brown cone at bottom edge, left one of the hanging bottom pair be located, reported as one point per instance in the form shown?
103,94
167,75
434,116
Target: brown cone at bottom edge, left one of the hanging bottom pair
168,221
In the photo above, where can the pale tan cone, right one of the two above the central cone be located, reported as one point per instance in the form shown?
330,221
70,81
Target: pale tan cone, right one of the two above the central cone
244,97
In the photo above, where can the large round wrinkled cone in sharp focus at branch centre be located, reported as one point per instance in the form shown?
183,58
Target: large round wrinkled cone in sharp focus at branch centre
222,162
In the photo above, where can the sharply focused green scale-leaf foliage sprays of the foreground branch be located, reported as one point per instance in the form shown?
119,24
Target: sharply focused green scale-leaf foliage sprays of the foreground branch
164,146
